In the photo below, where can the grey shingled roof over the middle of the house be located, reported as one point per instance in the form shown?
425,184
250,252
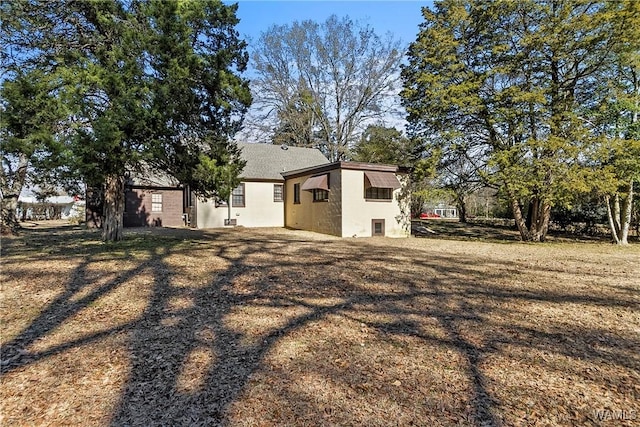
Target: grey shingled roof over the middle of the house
268,161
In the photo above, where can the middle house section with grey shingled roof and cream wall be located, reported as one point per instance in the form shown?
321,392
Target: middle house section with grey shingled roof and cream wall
259,199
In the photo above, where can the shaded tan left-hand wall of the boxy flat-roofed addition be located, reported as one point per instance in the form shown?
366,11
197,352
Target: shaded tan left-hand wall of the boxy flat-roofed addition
321,217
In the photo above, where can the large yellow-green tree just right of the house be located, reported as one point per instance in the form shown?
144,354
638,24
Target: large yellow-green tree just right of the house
515,82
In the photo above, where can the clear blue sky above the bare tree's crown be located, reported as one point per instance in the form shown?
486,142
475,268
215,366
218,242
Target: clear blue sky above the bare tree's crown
398,17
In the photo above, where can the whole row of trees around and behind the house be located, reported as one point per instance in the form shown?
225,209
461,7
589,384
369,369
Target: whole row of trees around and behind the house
536,99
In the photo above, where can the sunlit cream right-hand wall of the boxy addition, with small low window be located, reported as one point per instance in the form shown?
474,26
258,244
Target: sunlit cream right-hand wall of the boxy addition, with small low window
357,213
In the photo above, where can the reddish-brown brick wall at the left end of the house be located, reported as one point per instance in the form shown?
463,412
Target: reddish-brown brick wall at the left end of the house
138,210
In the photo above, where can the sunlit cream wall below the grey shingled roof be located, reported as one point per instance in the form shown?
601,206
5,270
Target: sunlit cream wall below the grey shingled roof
260,210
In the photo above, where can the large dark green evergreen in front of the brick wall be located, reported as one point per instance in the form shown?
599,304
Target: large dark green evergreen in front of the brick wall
153,84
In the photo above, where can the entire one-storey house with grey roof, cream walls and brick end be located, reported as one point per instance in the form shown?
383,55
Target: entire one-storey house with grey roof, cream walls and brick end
280,186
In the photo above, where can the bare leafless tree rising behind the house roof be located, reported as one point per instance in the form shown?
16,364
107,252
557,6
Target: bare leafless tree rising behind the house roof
321,82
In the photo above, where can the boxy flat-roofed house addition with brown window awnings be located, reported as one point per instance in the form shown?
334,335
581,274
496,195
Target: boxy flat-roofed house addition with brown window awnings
346,199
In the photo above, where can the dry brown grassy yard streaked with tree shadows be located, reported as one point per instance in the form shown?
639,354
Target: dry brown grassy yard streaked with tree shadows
277,327
